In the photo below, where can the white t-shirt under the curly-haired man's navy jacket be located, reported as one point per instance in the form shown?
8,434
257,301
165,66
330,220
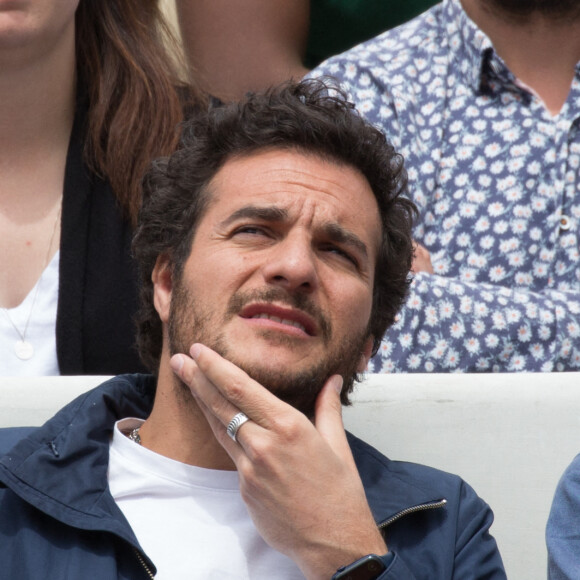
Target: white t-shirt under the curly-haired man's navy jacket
191,522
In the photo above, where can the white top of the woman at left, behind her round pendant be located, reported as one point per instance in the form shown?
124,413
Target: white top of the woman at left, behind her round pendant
41,331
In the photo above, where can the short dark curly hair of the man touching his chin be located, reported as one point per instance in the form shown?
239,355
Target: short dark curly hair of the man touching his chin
311,116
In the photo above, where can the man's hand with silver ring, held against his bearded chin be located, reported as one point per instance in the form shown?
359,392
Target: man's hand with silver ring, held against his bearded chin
298,478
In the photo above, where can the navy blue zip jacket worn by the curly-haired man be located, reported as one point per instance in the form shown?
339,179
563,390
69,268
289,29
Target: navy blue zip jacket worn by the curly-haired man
58,519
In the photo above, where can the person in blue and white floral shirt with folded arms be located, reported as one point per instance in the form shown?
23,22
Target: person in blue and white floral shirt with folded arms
482,98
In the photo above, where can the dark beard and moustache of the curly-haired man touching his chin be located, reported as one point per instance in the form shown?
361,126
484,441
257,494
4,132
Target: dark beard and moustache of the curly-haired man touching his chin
189,323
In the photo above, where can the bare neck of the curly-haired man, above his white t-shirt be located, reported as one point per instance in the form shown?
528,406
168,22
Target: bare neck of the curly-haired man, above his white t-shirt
177,428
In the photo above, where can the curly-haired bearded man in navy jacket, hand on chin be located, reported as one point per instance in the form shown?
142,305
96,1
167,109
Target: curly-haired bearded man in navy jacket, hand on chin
274,249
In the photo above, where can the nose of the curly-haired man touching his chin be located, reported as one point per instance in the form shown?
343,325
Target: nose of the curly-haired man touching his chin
291,264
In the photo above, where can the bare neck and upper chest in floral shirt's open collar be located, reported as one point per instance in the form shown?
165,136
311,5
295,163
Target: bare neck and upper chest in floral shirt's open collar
541,52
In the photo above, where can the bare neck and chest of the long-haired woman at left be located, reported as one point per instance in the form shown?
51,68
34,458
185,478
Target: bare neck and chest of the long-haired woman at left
37,96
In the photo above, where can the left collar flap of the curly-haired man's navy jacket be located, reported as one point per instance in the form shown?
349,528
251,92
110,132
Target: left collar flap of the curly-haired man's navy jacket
61,467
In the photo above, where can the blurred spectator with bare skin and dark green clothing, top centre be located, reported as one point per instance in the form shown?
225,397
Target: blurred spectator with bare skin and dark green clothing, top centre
236,46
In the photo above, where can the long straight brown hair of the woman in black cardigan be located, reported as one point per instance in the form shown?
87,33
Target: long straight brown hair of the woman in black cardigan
127,65
